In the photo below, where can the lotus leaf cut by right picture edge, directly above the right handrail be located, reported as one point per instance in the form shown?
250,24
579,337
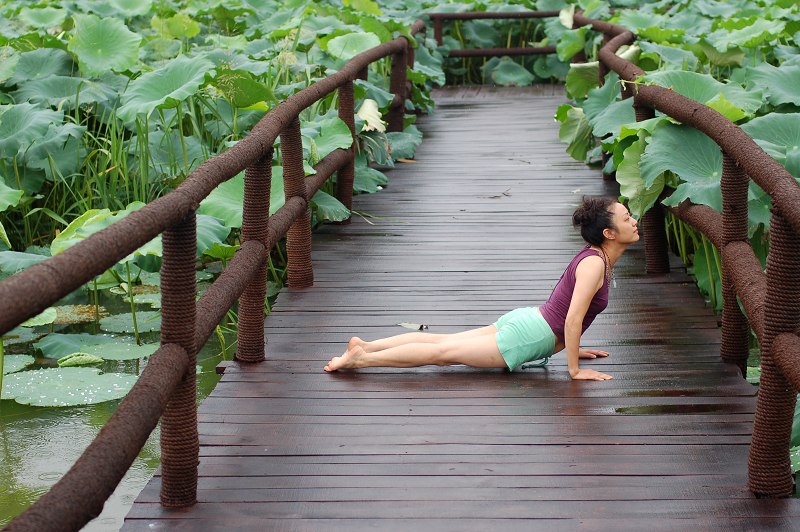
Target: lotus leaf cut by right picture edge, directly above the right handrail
779,135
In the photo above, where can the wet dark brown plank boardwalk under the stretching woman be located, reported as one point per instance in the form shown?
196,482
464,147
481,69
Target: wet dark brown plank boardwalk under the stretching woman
477,226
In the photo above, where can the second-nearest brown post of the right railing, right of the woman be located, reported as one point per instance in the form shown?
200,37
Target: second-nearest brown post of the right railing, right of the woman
735,329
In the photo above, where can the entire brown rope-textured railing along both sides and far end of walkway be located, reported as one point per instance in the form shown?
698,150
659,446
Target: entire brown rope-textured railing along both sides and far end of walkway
166,388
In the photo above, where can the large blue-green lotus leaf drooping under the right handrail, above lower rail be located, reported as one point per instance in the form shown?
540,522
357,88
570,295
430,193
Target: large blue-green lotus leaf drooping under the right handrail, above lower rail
699,166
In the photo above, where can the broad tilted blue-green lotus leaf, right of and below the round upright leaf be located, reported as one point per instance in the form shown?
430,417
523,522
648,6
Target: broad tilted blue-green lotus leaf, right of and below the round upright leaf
164,87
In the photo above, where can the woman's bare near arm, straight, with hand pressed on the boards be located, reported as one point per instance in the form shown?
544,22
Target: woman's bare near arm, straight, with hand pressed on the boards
588,279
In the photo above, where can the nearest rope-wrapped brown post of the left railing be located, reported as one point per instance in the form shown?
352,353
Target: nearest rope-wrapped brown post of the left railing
180,446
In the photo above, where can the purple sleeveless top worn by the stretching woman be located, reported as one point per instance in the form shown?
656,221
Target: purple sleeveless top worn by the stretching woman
555,309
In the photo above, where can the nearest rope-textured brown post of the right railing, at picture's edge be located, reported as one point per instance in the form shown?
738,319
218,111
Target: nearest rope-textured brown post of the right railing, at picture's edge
770,472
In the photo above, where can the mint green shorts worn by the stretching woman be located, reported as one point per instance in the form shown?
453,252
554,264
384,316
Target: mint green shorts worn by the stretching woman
523,336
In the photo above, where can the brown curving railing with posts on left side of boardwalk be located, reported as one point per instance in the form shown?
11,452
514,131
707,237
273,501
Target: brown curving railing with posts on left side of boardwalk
166,389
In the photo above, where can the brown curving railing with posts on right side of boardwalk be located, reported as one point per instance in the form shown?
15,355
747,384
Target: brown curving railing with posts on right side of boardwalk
772,300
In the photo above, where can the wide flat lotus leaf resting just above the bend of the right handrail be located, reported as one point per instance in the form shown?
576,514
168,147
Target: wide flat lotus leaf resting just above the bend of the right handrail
703,88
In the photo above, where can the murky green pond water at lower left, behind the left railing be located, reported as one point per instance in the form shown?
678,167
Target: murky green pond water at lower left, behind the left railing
39,444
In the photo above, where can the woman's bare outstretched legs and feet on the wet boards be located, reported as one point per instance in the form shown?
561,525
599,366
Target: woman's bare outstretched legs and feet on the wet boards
477,351
